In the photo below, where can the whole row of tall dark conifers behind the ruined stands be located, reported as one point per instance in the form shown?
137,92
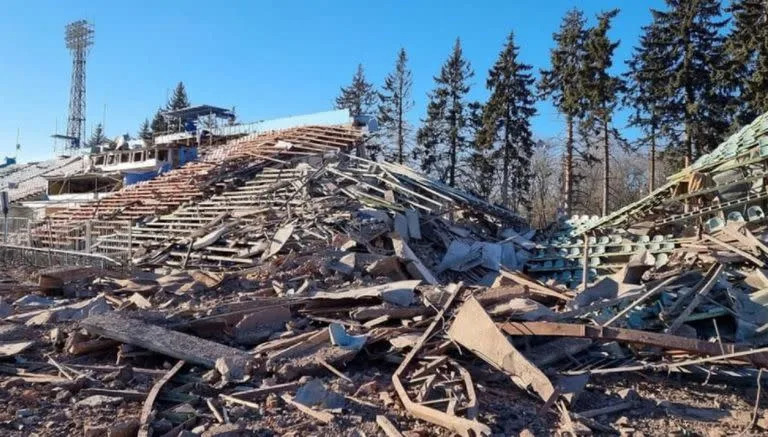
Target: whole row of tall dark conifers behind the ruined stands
697,73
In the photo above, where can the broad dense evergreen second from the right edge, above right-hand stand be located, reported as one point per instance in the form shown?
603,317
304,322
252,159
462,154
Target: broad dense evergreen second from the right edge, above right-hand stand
696,98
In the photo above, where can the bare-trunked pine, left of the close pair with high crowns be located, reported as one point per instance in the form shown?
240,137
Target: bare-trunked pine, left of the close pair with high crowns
564,83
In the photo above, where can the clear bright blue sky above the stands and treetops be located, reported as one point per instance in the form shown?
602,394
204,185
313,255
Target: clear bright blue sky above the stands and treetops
268,59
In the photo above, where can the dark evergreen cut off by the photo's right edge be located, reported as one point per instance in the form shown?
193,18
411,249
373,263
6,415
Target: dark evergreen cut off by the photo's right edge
747,48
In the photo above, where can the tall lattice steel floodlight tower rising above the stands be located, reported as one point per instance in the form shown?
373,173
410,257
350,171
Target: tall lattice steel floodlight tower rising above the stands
79,38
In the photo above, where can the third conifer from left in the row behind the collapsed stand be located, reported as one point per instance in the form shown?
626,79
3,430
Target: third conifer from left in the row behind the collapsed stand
443,135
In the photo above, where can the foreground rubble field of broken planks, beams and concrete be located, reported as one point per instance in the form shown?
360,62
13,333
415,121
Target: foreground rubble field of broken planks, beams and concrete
369,340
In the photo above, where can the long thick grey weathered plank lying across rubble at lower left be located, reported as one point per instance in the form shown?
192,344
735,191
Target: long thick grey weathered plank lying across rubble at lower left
164,341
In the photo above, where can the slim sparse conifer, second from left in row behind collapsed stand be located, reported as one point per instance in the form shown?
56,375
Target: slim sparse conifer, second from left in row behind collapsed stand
396,101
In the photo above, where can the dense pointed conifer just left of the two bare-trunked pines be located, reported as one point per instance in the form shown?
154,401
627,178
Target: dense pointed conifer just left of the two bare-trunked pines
506,120
